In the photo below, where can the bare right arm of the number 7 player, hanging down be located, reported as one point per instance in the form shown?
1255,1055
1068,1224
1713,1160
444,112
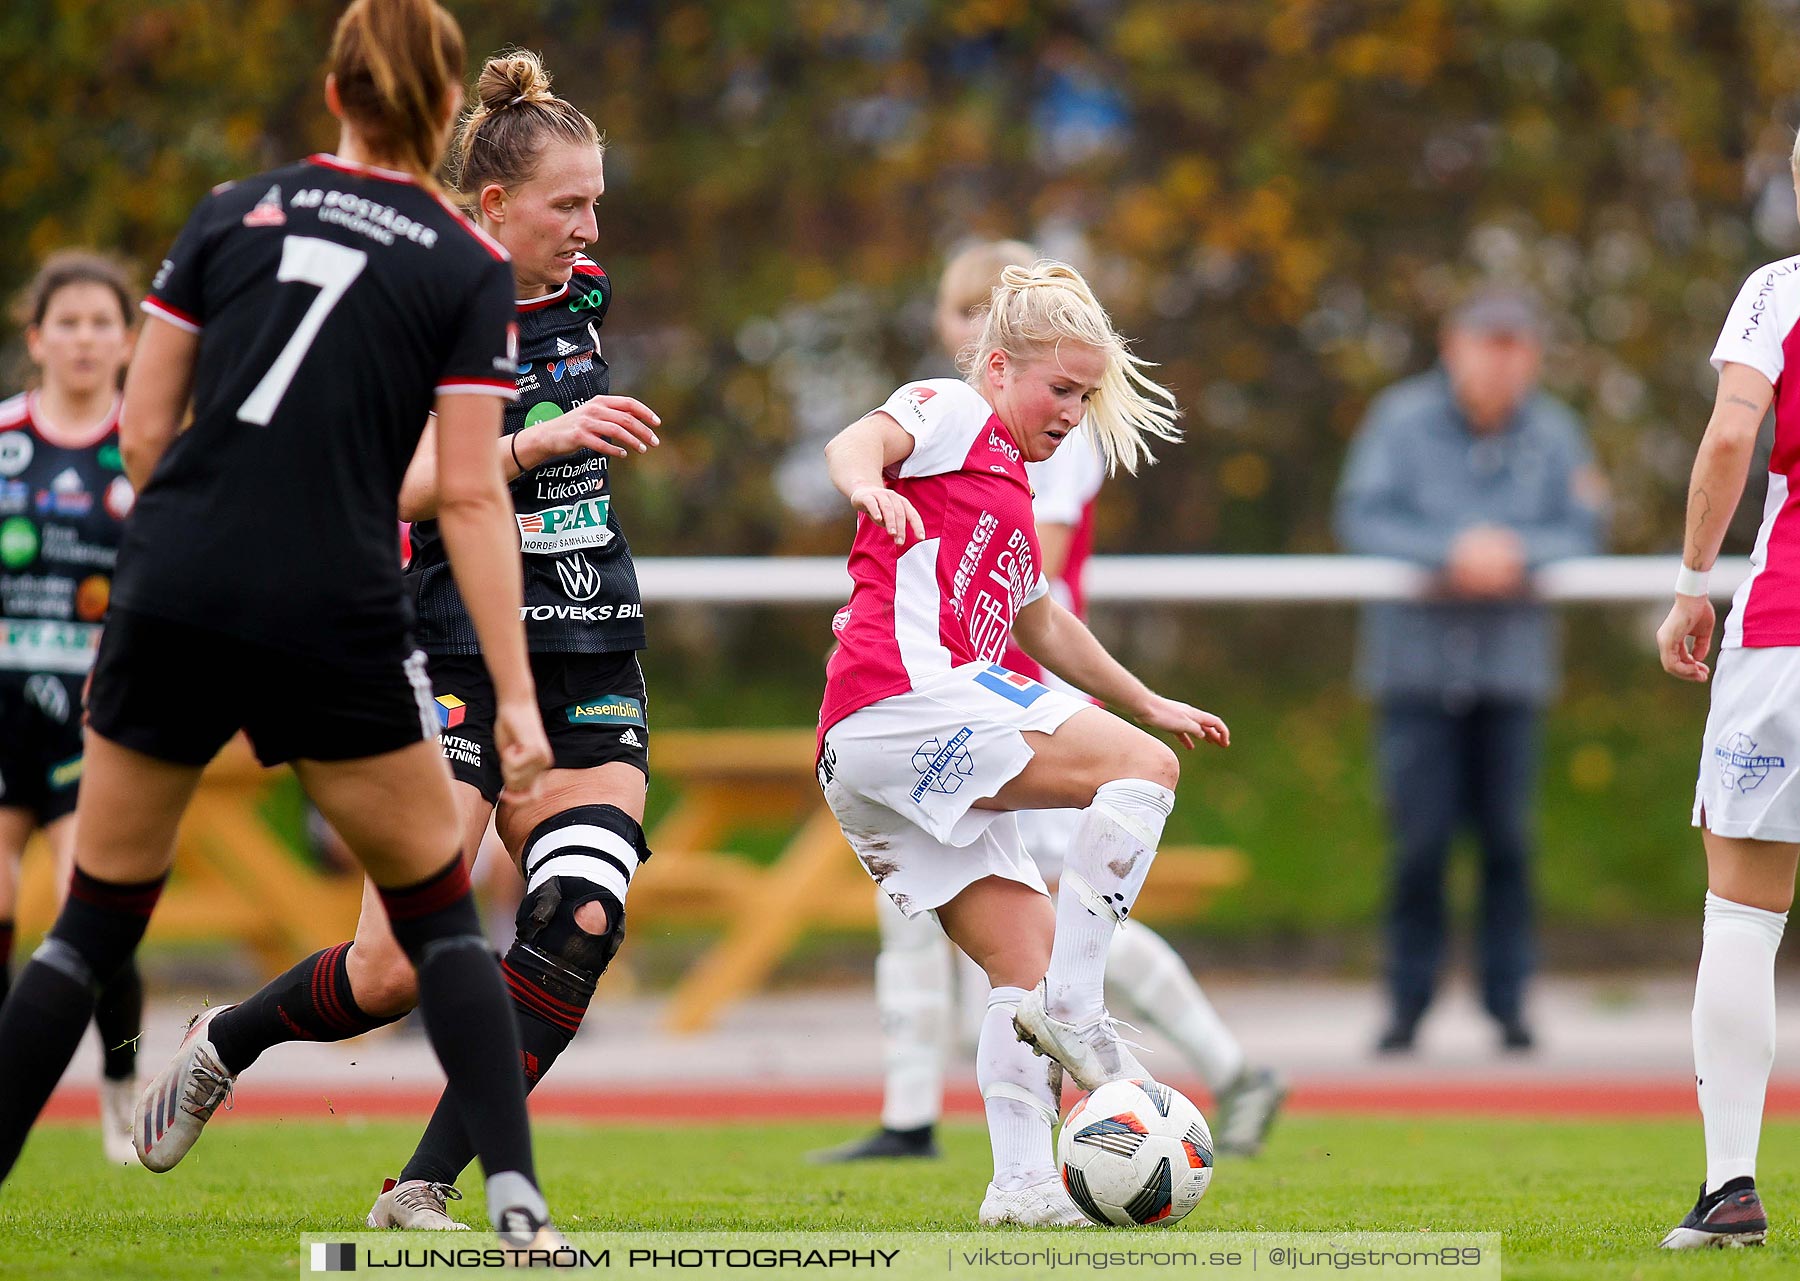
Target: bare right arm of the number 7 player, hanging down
483,544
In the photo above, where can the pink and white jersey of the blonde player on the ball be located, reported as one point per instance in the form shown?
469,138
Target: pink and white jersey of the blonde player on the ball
919,611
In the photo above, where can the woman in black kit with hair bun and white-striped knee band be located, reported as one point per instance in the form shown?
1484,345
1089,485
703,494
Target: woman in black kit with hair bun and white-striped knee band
530,166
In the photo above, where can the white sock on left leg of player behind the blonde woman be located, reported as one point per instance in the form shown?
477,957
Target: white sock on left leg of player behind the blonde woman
913,999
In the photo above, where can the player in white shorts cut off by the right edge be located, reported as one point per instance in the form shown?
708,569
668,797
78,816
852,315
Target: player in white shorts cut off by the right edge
1747,803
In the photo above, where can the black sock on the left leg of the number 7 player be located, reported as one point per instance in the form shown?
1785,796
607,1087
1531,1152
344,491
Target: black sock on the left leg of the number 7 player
49,1007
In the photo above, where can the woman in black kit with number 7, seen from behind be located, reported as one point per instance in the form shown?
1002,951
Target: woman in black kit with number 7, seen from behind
314,316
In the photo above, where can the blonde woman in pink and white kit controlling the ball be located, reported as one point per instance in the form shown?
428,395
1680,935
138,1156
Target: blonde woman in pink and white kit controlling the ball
928,746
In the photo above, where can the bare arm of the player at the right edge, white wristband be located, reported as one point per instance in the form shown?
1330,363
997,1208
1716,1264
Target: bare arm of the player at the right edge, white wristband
1714,488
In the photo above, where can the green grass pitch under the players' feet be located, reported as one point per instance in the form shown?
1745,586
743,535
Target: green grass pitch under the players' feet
1572,1199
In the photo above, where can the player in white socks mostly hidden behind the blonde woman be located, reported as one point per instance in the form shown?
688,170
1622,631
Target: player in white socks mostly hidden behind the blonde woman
913,972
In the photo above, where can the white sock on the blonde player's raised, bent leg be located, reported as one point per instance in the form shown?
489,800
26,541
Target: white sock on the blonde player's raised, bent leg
1108,863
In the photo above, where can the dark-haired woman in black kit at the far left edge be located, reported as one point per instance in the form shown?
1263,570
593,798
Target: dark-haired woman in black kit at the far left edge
64,499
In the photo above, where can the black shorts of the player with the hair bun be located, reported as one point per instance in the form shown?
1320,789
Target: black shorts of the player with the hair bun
595,713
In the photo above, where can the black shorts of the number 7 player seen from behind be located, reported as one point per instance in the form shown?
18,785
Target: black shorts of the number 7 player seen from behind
179,692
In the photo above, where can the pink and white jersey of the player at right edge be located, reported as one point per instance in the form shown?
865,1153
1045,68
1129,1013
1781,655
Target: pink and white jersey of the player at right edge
1763,332
